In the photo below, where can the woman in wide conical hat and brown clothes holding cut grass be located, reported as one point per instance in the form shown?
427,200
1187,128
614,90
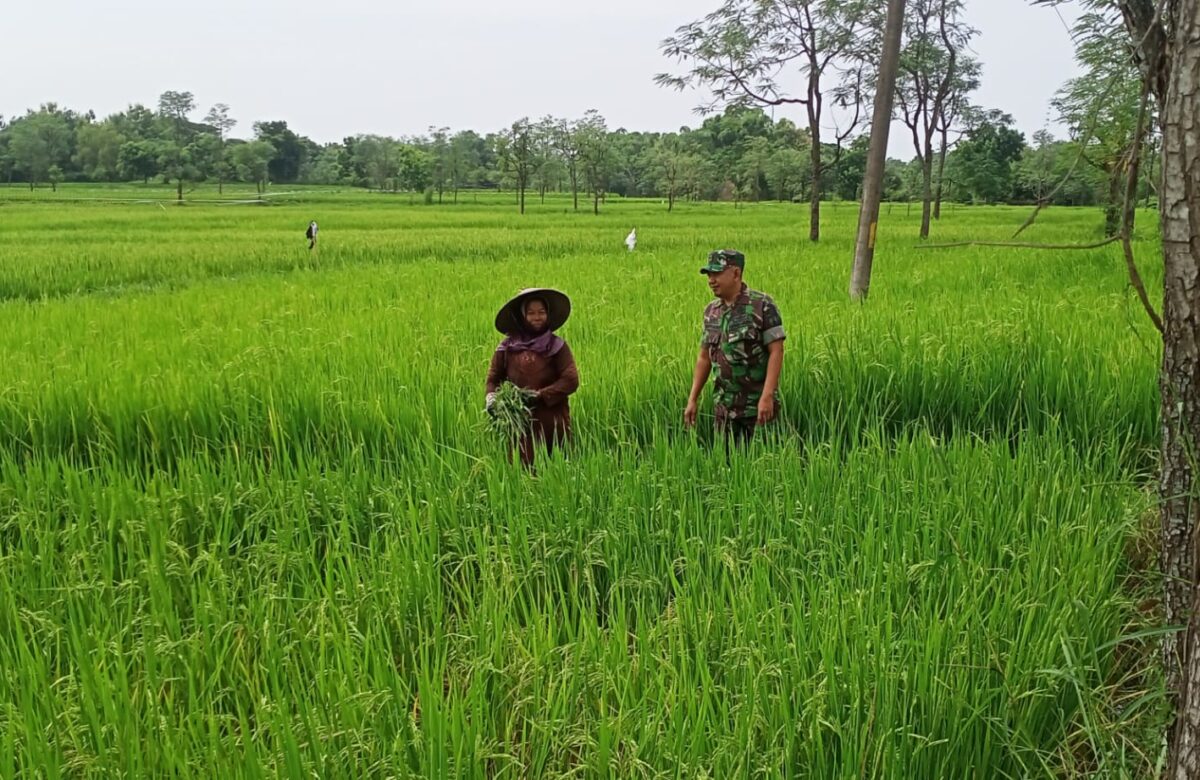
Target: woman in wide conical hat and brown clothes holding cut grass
532,357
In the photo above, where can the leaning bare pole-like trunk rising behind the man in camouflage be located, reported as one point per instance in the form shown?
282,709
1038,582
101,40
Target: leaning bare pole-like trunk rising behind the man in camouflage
878,154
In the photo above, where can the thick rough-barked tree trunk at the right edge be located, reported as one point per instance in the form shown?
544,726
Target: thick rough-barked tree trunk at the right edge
1180,383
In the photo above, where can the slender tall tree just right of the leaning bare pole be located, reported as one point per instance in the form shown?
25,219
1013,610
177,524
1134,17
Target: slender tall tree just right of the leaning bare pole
931,68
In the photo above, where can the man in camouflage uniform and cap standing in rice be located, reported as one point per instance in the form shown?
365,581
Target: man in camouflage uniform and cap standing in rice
745,340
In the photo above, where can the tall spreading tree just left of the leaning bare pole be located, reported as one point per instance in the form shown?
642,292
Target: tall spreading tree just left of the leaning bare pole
745,51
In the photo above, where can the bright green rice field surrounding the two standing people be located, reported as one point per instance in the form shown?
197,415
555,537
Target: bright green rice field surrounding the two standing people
253,521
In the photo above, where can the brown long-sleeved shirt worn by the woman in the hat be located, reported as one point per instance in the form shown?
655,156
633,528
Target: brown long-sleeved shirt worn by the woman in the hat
555,379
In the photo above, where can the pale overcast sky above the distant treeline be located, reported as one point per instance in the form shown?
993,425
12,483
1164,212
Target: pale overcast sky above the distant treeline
397,68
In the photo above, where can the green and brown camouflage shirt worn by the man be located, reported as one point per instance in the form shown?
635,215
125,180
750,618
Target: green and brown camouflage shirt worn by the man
736,338
